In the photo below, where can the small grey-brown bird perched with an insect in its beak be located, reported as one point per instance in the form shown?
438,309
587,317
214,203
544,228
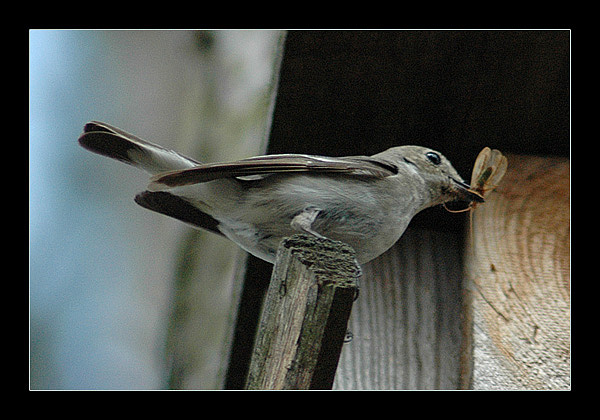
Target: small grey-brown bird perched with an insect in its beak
364,201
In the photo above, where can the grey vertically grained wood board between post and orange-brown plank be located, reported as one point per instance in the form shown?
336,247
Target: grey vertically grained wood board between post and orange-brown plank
406,323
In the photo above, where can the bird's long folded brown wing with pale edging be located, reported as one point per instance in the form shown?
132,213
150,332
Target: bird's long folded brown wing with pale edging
361,166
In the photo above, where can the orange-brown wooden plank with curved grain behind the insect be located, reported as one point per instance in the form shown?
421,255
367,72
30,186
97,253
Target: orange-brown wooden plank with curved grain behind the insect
519,266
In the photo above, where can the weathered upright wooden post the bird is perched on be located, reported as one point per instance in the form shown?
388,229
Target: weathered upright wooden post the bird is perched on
305,315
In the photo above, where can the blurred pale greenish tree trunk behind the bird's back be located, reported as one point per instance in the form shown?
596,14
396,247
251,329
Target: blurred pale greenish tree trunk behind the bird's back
226,116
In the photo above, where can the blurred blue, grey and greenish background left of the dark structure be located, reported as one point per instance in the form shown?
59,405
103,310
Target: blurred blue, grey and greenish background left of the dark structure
107,277
